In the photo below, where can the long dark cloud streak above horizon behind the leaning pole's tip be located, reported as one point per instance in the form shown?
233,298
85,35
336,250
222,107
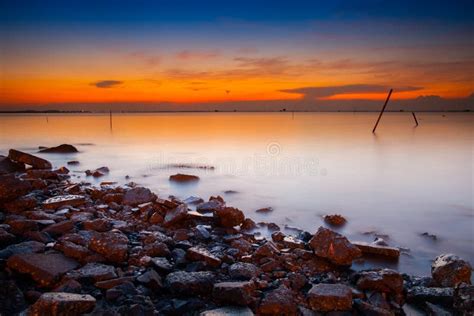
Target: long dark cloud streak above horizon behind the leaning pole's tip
328,91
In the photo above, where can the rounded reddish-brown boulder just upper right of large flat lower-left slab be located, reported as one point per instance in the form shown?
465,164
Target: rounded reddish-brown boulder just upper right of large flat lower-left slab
112,245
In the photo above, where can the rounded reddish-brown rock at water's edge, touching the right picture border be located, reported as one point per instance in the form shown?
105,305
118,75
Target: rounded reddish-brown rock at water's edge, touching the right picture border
449,270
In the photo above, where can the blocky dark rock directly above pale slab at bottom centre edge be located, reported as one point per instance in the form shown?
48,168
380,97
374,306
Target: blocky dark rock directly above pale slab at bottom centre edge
234,293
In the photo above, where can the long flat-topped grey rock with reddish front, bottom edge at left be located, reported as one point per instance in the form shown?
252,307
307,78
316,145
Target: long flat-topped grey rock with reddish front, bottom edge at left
57,303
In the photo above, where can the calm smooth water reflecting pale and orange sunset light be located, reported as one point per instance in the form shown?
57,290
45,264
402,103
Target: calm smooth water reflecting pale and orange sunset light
401,182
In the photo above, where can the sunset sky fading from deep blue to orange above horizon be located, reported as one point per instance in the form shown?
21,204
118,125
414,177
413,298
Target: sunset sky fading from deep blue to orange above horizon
241,55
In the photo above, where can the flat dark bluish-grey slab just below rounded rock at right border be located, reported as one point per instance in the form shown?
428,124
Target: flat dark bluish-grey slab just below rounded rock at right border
436,295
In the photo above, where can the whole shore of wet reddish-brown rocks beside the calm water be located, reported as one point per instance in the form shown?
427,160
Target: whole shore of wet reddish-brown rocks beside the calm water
71,248
